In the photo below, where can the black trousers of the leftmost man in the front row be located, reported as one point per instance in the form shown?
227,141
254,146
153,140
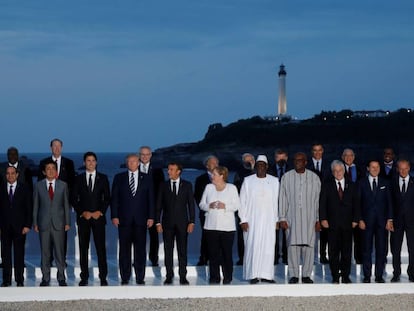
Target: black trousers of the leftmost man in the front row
11,238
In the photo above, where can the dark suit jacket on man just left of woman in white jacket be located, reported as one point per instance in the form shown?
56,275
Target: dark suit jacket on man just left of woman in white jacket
175,209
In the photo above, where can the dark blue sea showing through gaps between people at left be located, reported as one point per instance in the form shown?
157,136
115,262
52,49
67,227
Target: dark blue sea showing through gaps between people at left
109,163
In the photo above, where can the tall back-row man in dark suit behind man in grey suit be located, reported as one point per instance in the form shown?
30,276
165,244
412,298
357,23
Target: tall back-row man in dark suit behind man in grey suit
65,172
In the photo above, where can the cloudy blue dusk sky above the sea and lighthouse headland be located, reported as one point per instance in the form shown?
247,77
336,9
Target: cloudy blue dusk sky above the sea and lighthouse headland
113,75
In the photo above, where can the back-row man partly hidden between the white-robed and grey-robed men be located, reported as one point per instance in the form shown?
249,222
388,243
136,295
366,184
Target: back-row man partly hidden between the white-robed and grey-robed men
278,169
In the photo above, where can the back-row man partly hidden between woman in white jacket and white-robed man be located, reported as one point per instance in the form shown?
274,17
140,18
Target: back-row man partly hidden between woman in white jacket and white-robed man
246,169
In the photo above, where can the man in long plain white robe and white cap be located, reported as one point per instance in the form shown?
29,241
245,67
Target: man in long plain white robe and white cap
258,217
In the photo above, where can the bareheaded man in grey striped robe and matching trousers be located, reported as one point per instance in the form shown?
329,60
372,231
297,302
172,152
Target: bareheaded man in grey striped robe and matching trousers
298,214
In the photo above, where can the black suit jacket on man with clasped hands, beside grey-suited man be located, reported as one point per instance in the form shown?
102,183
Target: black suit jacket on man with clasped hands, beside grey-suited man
84,200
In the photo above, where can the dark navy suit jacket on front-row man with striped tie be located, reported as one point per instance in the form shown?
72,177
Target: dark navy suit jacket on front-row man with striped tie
129,209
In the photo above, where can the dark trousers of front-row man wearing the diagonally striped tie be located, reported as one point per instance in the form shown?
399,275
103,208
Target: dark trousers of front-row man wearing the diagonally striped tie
135,236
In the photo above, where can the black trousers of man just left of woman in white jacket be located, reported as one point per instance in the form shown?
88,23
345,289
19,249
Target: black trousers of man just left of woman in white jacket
178,234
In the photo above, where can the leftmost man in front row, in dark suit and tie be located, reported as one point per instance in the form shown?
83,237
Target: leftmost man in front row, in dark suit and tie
15,222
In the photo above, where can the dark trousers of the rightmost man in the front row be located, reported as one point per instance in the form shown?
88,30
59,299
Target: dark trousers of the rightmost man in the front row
401,225
